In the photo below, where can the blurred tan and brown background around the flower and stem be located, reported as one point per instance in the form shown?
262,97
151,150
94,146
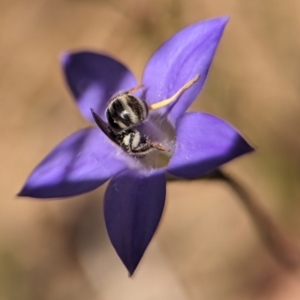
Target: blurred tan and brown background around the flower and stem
207,246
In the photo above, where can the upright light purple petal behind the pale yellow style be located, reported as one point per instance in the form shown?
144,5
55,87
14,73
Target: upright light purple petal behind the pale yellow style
180,59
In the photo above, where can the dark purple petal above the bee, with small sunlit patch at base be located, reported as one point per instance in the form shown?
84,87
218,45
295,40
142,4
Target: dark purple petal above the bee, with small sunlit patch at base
94,78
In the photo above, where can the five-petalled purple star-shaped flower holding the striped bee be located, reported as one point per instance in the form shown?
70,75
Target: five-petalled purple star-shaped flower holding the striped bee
198,142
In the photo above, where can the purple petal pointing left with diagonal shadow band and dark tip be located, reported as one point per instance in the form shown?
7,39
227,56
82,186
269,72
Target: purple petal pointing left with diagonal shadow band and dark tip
79,164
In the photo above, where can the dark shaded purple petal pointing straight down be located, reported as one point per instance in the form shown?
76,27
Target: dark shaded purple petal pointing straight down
133,206
